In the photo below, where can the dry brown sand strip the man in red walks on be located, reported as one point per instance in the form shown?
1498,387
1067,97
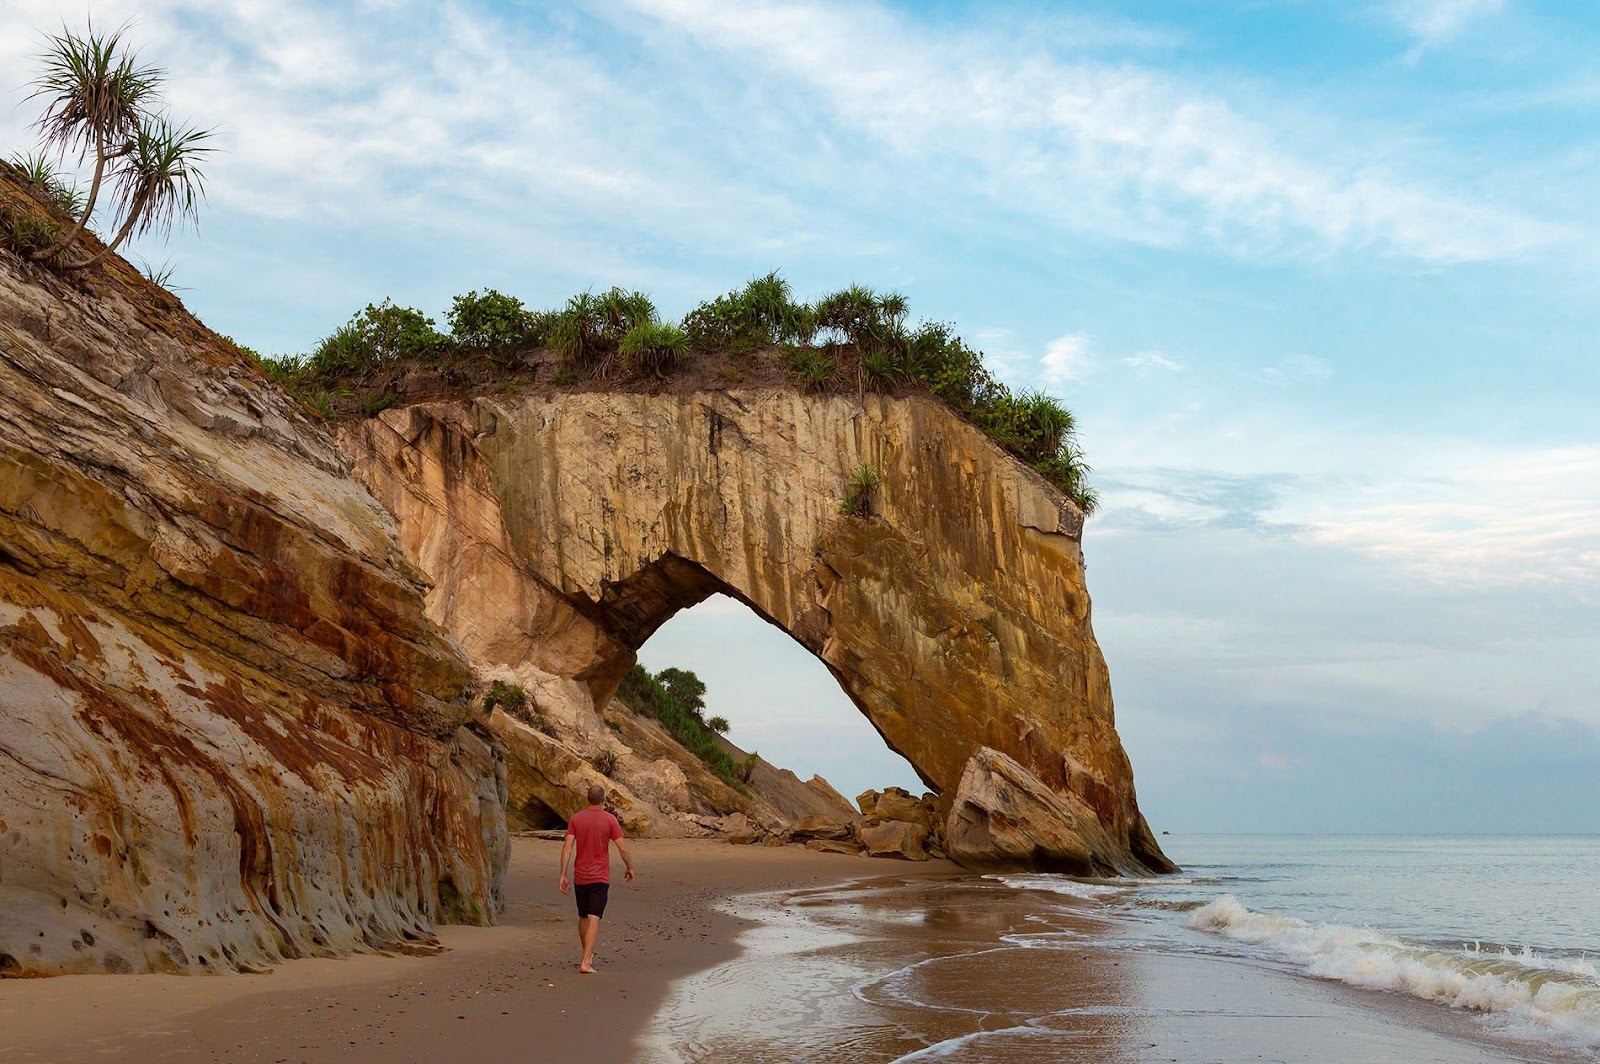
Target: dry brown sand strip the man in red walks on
495,991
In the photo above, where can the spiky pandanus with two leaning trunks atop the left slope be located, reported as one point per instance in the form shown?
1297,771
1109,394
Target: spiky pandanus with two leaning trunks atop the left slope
102,105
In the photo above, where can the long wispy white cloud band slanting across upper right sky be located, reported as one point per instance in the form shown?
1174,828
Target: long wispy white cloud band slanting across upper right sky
1113,148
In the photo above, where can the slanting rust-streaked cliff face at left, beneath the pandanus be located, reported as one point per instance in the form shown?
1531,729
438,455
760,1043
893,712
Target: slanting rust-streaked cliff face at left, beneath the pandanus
228,732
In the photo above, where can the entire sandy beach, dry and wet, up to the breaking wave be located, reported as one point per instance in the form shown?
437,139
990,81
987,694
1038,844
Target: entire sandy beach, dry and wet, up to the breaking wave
743,953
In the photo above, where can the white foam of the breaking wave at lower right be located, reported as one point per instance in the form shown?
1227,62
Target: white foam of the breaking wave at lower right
1522,993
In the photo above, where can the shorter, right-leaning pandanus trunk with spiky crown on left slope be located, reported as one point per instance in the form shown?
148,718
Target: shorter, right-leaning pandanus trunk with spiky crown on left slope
159,182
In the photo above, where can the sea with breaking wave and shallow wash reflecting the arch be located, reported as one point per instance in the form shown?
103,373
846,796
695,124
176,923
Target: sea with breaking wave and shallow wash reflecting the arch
1369,950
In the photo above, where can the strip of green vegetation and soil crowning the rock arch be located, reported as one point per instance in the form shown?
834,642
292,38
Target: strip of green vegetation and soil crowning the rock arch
854,340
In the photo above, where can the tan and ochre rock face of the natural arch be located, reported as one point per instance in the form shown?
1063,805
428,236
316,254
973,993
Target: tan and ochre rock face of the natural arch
564,530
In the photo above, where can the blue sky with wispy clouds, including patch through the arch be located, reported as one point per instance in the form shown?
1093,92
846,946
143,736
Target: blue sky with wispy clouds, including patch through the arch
1318,279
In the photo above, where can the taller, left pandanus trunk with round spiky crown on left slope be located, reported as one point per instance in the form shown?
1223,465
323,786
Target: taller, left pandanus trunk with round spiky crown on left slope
95,103
